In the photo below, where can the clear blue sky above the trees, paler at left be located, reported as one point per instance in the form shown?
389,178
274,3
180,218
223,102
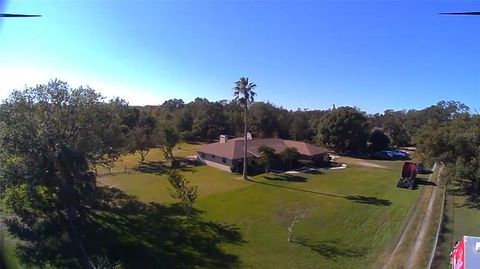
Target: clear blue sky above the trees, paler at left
374,55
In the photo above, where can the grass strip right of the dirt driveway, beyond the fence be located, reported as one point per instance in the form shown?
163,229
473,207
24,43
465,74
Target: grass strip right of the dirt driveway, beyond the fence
461,218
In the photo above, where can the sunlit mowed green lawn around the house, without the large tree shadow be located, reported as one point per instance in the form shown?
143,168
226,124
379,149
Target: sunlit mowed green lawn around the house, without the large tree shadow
352,214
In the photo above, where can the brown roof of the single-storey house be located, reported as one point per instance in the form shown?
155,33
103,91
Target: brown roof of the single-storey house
233,149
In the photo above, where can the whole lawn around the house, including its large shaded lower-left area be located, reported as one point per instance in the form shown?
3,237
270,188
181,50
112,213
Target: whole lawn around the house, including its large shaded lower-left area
352,216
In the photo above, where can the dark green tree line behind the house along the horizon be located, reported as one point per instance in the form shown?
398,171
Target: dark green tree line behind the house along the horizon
344,129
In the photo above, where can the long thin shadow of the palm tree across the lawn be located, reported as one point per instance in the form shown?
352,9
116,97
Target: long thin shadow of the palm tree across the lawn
370,200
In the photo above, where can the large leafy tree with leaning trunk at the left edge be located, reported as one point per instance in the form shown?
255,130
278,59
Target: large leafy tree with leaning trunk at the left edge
50,136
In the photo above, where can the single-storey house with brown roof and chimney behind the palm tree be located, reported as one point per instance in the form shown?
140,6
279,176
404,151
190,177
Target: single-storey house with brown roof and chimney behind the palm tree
228,153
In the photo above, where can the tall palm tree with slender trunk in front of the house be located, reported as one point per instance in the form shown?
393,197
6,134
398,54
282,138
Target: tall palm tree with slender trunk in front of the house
243,92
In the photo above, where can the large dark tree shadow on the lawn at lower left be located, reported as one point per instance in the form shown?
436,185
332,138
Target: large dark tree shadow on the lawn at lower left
122,230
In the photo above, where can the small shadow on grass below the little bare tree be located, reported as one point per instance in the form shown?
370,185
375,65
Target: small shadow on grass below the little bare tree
331,249
